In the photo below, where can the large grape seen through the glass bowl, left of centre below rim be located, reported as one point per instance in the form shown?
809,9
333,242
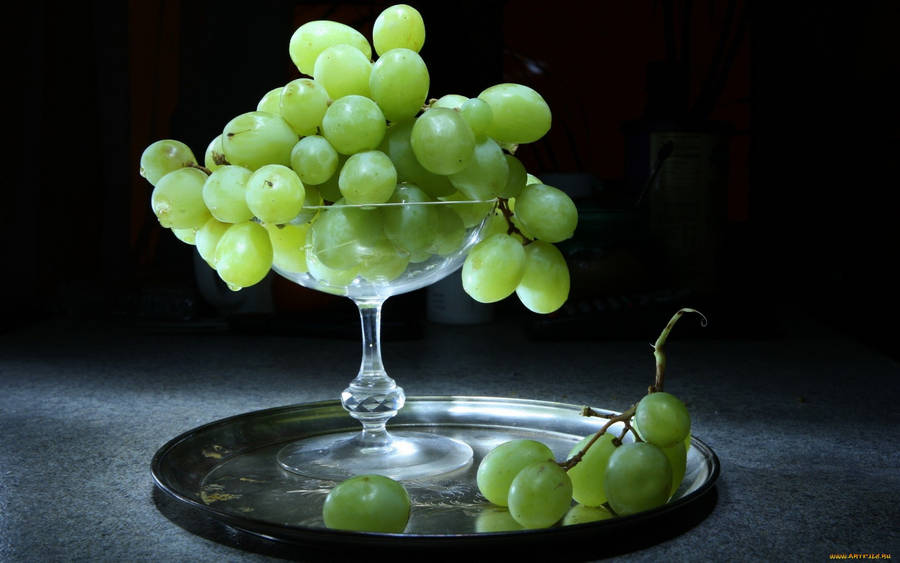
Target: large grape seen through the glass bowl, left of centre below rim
347,237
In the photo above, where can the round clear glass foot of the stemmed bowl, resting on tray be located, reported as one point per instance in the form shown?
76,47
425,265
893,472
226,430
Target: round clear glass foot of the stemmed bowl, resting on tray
406,455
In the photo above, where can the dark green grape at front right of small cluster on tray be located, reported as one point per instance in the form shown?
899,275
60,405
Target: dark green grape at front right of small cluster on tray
638,478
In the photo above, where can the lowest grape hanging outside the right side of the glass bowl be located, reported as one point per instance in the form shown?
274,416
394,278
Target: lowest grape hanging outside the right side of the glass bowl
545,284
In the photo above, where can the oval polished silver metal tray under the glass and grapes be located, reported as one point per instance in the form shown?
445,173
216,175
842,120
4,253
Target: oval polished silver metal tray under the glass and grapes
226,471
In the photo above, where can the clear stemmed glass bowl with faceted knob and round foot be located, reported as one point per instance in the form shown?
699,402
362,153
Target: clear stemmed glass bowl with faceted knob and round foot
373,397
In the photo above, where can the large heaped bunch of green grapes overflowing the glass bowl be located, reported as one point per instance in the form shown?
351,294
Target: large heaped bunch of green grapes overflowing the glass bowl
362,130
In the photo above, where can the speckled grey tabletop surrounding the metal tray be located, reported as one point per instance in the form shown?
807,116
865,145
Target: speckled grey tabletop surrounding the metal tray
805,426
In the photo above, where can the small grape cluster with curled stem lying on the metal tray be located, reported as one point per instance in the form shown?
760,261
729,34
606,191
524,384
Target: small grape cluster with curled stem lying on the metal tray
606,474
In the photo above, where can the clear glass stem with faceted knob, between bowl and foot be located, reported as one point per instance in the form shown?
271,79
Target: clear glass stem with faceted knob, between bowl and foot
372,397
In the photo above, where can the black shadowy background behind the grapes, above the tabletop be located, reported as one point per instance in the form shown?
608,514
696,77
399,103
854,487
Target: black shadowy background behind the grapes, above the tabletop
807,216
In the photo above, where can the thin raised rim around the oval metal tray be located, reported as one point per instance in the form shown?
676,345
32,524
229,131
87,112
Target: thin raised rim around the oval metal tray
298,535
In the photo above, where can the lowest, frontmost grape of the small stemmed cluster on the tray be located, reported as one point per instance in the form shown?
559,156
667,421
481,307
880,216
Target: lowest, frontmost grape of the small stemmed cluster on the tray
540,495
